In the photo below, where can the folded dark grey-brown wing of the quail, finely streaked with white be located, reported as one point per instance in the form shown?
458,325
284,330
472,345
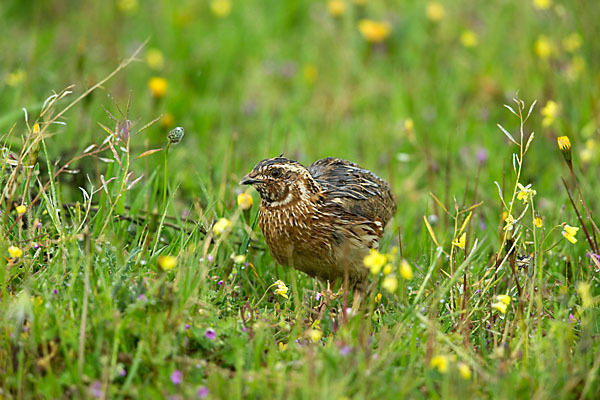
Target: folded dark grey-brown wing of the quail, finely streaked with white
357,190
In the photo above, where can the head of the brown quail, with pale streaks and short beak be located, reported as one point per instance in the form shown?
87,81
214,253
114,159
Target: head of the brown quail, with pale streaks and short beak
281,181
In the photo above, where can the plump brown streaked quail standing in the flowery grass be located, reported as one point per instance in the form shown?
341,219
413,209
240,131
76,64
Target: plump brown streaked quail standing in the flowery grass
322,220
